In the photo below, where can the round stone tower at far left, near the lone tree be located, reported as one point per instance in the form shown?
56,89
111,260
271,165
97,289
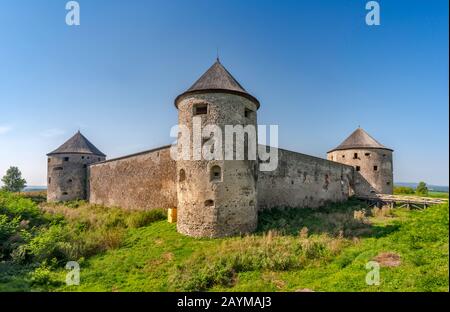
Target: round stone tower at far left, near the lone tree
67,170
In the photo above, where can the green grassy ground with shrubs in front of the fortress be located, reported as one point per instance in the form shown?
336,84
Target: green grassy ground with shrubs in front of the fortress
324,249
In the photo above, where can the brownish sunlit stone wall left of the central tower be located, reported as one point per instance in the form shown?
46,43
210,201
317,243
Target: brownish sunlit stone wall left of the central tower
141,181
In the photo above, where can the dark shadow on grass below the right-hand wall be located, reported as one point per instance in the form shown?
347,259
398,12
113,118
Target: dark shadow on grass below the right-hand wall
333,219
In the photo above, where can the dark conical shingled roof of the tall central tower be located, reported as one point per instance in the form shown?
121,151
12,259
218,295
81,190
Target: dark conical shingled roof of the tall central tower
217,79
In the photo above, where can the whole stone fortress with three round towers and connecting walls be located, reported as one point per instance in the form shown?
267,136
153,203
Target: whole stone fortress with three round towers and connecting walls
216,198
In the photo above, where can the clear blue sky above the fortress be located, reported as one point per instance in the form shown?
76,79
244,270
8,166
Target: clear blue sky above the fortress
318,70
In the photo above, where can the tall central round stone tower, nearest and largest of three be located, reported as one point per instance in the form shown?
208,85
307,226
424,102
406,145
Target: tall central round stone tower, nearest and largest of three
216,197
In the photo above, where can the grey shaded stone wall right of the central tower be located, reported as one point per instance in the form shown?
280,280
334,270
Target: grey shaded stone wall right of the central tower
304,181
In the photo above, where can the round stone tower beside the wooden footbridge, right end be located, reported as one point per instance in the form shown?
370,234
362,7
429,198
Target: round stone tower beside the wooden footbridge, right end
372,162
